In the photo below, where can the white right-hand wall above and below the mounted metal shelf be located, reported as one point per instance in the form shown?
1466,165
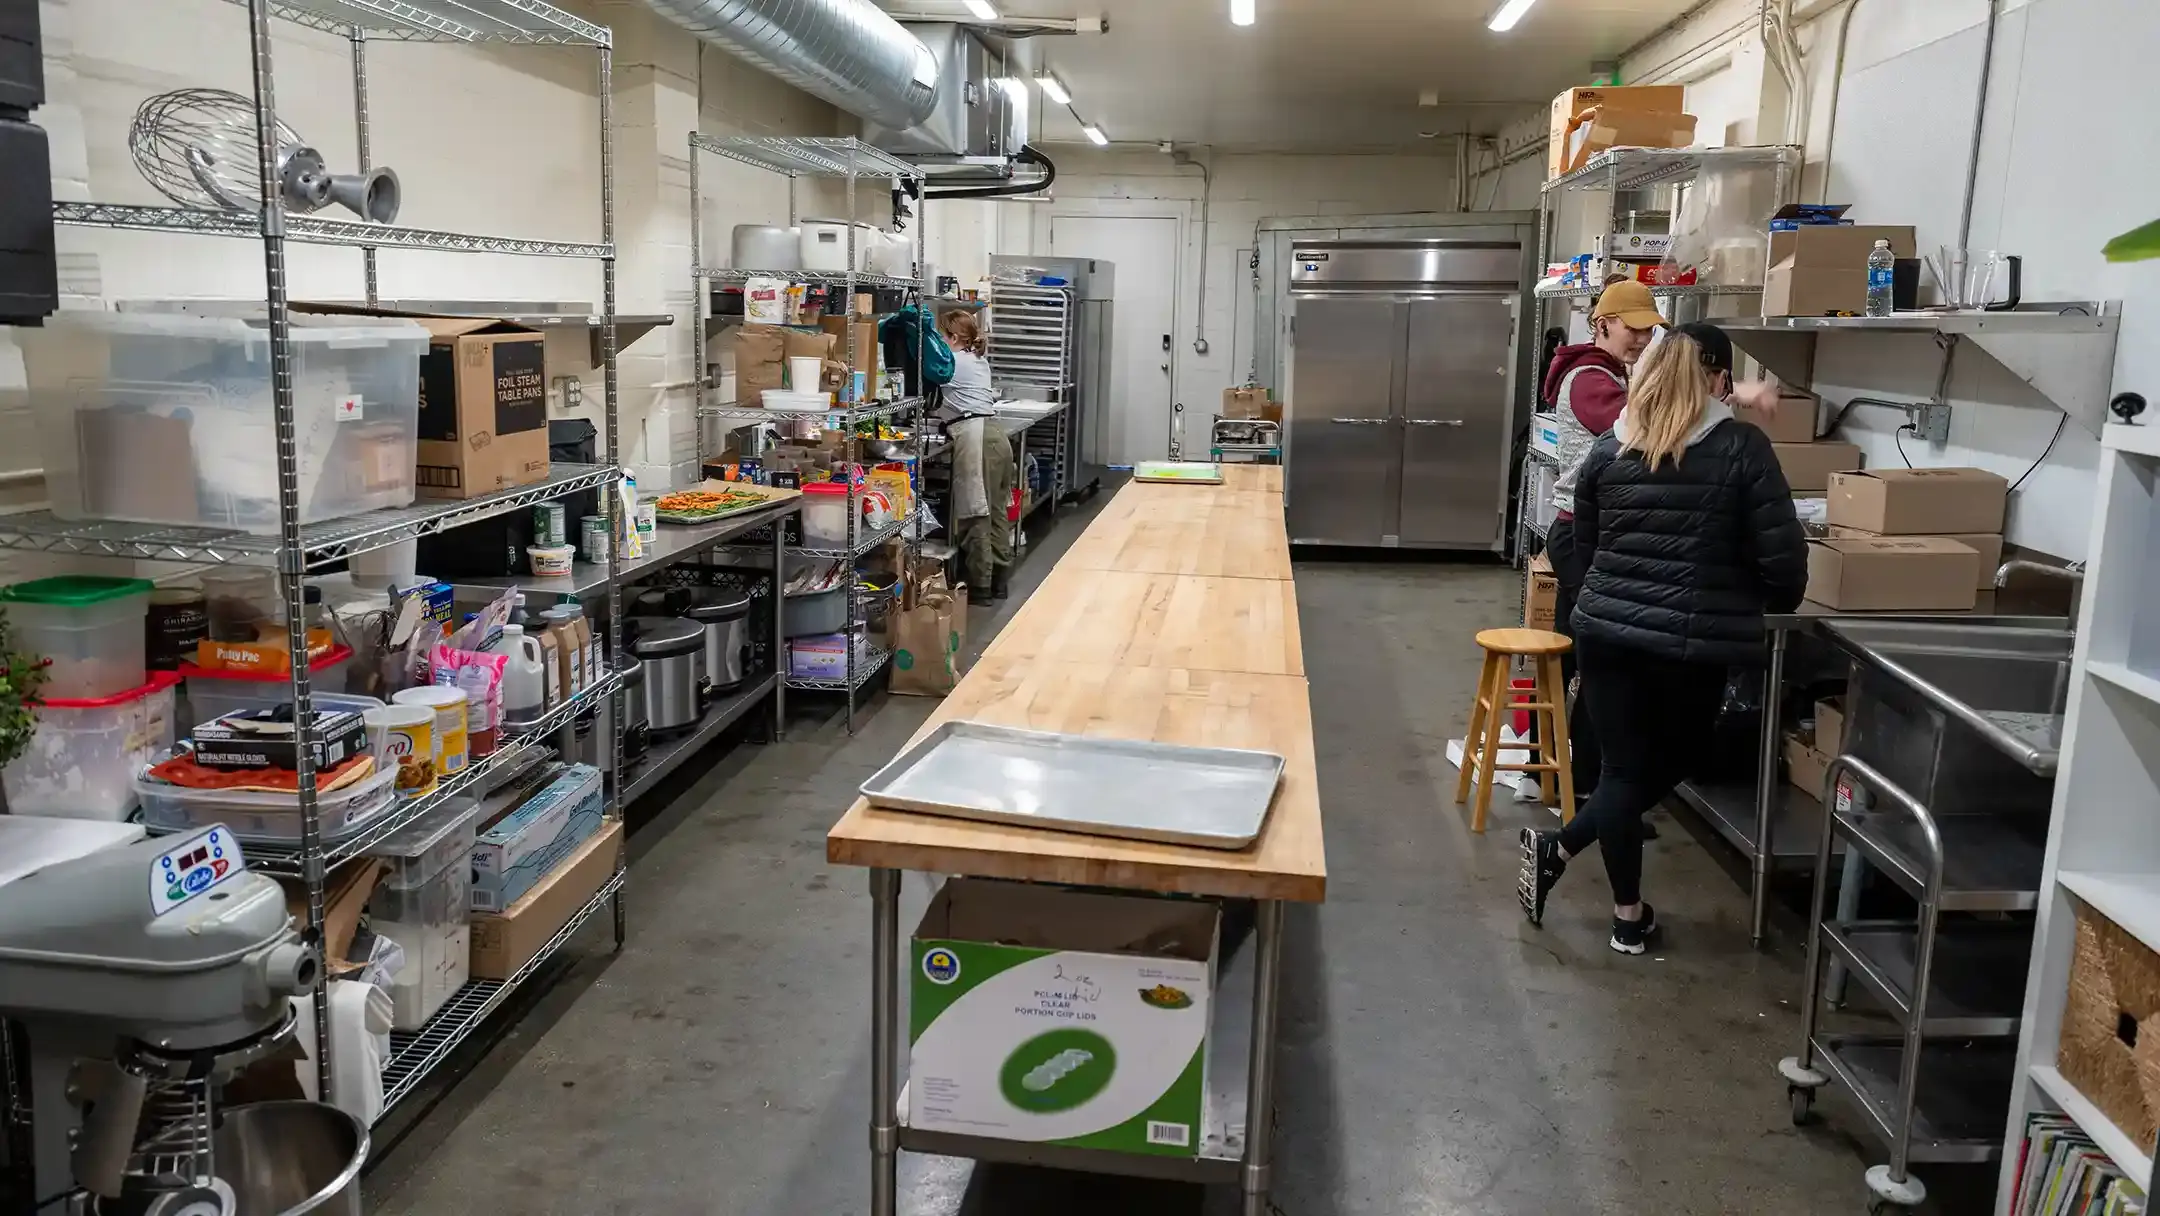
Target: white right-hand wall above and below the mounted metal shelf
2057,180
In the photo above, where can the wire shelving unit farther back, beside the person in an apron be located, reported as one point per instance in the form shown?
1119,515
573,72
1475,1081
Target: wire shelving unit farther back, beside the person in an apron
831,159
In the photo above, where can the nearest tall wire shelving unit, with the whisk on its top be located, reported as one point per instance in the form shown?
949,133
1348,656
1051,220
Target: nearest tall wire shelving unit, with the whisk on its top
297,550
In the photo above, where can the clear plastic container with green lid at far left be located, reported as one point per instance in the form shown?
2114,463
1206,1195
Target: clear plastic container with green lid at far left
90,630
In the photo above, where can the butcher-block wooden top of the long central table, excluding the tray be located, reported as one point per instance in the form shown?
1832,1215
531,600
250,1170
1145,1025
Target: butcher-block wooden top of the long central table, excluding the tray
1170,621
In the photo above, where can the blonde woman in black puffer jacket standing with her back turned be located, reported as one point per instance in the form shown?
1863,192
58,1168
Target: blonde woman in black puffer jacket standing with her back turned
1690,537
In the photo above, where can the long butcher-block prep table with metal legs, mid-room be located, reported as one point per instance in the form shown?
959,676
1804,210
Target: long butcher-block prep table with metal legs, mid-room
1170,621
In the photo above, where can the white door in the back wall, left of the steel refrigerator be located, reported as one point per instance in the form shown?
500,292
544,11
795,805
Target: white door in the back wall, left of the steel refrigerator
1144,249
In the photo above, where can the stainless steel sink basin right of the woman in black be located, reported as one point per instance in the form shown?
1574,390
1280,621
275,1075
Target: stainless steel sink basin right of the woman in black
2003,679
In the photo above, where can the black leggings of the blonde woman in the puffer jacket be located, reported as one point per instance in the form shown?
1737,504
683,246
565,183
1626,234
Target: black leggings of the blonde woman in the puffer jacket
1651,714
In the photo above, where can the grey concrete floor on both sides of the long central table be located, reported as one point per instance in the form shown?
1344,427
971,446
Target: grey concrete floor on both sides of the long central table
1440,1057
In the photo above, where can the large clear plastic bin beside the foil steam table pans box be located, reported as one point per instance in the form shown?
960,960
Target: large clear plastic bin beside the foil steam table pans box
165,418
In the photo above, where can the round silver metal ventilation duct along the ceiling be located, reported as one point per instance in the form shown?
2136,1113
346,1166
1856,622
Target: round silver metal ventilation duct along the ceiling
848,53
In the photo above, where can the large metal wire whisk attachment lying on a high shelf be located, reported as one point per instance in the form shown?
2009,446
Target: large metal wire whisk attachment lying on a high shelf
198,148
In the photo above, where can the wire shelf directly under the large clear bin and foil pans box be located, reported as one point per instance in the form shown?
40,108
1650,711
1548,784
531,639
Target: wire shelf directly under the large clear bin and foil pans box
321,543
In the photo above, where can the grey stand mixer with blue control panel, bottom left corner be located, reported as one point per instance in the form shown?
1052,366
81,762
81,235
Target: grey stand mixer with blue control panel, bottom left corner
144,979
